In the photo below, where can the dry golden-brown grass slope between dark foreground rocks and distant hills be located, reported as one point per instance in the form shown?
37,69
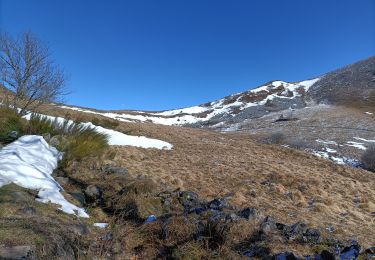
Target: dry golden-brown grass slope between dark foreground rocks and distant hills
288,184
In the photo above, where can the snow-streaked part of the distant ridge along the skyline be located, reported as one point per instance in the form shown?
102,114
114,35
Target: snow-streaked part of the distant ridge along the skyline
203,113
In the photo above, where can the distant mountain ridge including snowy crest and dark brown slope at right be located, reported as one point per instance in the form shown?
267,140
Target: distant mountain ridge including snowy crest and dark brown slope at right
353,86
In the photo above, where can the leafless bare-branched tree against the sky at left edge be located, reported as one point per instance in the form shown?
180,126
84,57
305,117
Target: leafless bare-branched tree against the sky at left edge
27,70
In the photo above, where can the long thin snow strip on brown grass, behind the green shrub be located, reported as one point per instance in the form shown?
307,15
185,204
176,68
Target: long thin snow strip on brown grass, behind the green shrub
117,138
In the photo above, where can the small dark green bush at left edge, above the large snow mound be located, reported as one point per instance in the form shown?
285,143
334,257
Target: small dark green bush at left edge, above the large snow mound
9,121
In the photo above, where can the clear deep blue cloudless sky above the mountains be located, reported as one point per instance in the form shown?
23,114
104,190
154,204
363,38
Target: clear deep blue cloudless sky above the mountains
166,54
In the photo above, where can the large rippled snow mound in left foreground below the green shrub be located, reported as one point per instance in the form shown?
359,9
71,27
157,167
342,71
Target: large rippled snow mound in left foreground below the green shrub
29,163
